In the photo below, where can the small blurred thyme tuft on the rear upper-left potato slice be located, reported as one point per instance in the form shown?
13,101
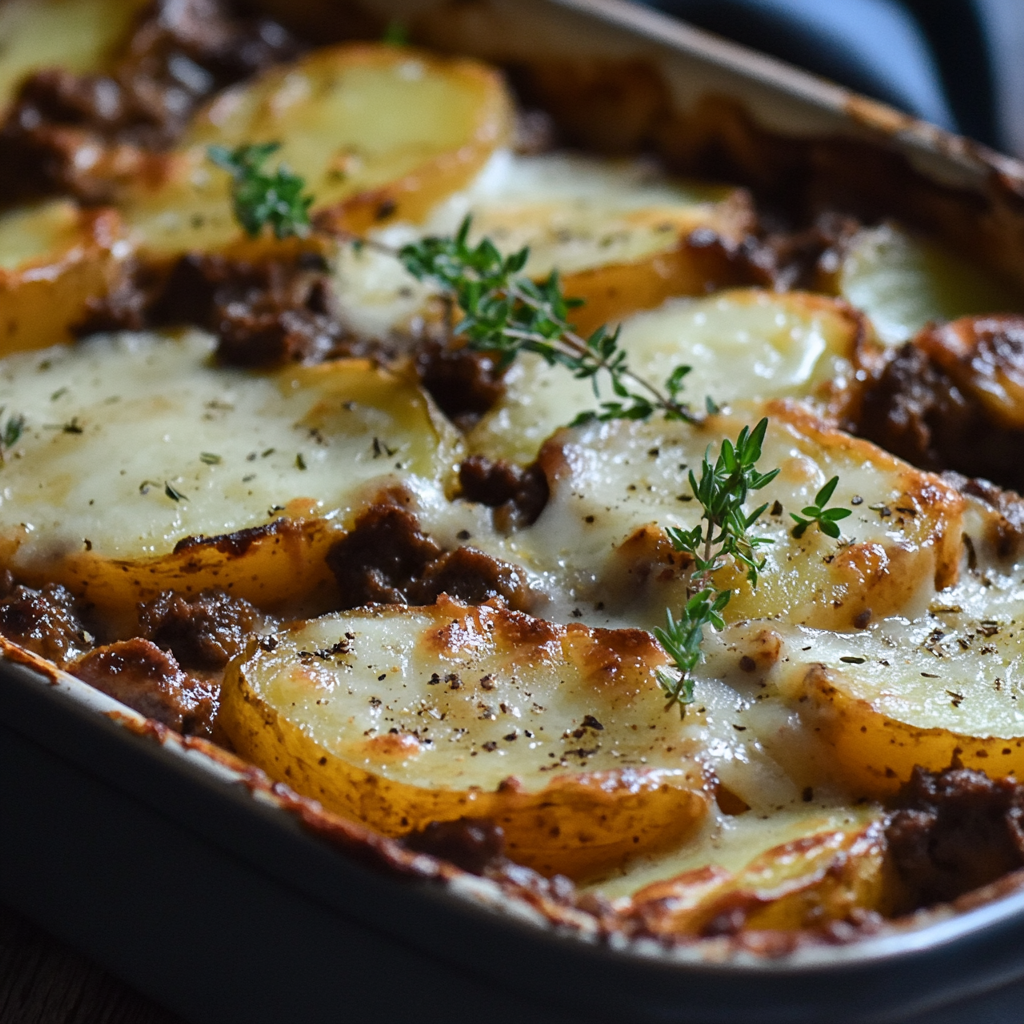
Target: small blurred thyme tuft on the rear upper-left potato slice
260,198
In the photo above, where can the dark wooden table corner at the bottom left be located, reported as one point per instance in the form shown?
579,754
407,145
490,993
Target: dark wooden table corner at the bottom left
44,982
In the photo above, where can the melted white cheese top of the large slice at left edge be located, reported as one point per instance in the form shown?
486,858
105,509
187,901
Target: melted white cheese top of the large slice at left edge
135,442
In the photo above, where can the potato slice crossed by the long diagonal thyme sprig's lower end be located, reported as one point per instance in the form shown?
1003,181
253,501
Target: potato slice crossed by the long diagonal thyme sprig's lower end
742,345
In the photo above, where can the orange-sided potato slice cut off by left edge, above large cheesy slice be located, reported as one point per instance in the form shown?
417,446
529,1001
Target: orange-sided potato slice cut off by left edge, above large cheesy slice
54,259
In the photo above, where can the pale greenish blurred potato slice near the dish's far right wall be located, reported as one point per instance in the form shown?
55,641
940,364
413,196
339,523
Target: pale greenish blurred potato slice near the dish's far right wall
903,282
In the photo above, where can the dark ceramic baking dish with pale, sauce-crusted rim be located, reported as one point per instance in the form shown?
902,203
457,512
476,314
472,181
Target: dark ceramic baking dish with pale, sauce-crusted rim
227,900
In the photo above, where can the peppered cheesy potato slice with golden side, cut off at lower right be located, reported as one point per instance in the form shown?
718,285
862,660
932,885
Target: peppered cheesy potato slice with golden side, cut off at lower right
949,686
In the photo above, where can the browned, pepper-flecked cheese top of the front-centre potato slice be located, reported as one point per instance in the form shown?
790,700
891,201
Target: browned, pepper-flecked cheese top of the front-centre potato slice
449,698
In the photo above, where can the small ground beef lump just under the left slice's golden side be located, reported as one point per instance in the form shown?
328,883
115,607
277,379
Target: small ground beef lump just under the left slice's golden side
203,632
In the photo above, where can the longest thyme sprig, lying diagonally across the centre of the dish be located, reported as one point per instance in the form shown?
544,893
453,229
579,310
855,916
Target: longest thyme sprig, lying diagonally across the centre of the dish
506,313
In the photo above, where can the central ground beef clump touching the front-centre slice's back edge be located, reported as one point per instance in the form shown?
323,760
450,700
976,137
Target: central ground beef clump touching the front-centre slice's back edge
388,560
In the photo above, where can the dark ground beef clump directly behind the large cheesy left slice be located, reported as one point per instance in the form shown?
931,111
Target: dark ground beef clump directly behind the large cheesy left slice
265,314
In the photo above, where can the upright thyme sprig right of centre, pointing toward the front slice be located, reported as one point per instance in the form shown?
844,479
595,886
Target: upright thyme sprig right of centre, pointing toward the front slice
722,534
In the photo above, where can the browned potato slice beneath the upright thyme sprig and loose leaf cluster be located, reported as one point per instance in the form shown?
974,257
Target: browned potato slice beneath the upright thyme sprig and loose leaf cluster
616,487
